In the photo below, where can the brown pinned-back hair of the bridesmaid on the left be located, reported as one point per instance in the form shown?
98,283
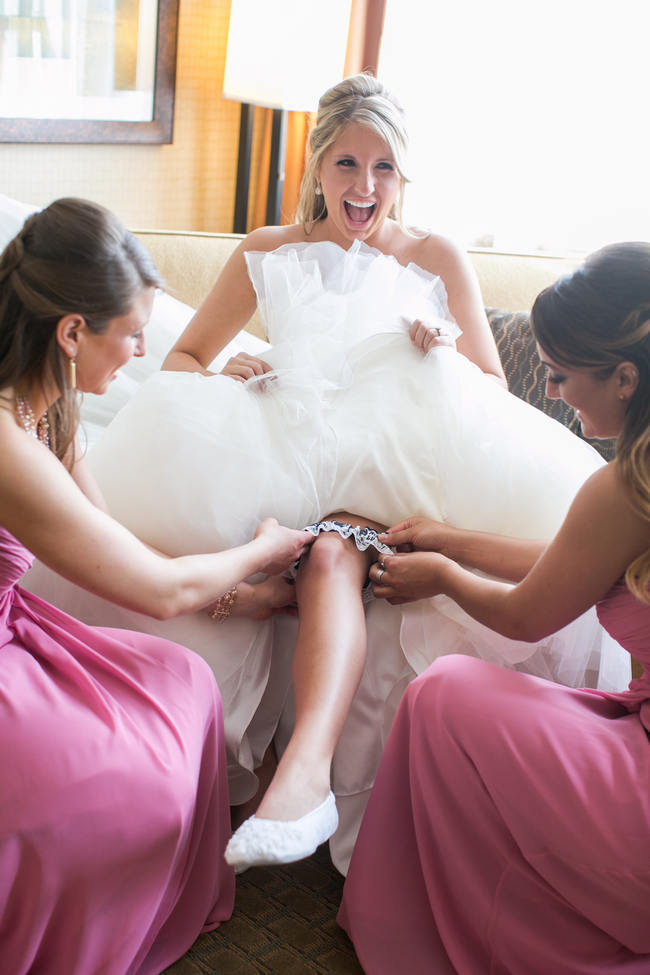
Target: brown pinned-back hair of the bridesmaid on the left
73,257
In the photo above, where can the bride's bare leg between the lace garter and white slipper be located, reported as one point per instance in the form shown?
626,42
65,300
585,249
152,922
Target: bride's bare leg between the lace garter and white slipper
328,663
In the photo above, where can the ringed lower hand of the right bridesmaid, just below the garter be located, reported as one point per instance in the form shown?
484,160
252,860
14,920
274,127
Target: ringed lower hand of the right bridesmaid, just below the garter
408,576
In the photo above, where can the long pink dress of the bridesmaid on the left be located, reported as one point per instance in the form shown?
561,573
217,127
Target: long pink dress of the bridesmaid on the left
113,794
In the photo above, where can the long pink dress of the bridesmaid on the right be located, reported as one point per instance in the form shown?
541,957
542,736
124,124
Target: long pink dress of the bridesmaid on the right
509,827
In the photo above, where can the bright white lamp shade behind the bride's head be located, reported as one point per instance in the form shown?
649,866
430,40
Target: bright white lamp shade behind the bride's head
285,53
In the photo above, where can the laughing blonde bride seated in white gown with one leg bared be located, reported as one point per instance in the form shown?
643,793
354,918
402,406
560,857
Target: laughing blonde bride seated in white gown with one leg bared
381,396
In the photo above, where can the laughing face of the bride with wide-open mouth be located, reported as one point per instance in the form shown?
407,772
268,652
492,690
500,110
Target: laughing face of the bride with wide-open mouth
360,184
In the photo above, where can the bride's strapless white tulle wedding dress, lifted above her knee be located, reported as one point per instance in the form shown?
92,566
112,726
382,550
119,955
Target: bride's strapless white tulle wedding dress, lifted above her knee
353,418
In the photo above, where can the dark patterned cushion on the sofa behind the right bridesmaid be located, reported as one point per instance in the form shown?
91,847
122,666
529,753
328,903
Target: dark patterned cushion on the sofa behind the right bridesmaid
525,373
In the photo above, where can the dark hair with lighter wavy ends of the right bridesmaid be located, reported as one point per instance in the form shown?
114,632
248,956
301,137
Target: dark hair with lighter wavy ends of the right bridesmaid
594,319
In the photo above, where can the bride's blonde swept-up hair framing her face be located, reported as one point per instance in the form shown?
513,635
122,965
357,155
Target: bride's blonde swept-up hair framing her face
361,100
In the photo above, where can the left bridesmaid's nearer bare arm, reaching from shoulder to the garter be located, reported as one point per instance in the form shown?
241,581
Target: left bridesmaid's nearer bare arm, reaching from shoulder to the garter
42,507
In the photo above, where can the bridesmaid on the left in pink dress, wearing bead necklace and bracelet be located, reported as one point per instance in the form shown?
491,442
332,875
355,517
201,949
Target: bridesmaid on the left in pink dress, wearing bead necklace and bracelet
114,809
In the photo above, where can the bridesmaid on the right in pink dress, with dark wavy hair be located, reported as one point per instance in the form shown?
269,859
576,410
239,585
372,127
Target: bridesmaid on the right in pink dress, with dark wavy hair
509,827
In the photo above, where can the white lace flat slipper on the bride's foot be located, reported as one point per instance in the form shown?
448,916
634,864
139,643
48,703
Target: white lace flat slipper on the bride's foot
260,842
